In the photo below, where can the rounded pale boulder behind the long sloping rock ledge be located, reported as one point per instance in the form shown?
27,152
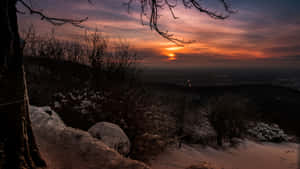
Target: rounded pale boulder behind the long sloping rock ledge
111,135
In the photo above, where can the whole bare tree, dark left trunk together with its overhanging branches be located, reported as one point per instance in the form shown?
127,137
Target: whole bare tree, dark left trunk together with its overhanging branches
18,149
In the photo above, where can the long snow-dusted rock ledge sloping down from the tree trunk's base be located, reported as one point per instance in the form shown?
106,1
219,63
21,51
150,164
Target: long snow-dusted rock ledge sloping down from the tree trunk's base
66,148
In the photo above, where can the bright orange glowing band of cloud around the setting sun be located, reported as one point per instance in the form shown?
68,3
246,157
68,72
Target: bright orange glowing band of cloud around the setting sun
203,51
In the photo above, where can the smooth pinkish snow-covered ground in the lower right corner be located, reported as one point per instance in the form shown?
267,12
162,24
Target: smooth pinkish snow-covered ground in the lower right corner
249,155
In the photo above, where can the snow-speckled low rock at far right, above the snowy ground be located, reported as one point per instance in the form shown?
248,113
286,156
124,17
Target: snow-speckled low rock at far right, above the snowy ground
268,132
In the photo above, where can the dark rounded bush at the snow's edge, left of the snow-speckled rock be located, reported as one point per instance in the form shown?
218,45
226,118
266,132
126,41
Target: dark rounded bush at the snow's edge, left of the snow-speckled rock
228,114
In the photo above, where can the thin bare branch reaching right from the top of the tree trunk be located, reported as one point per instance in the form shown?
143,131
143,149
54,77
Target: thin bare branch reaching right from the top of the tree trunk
53,20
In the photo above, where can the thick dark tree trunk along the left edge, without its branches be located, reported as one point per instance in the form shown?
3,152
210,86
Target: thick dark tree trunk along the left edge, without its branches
18,149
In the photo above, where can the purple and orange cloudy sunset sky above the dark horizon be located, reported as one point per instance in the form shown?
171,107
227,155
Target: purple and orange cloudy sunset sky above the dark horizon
262,33
